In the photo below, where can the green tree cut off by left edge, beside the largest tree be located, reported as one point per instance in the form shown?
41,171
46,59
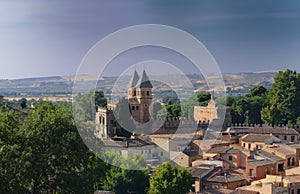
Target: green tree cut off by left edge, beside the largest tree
11,154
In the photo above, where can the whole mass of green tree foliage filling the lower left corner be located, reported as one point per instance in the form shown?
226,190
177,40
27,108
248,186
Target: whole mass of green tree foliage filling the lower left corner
45,153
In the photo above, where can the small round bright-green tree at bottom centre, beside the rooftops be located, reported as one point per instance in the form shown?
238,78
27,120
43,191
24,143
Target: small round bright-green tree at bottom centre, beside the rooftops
170,179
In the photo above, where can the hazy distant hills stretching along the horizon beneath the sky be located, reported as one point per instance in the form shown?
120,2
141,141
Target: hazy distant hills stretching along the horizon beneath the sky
236,84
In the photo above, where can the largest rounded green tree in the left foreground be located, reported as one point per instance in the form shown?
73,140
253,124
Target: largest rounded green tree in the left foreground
57,159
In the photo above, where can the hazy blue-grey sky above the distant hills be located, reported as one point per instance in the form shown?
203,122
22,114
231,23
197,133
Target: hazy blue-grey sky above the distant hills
46,38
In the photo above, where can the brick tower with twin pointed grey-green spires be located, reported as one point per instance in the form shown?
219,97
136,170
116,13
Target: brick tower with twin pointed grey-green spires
140,97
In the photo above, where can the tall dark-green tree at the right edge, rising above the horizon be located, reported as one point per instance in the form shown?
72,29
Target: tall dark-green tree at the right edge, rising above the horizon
283,99
